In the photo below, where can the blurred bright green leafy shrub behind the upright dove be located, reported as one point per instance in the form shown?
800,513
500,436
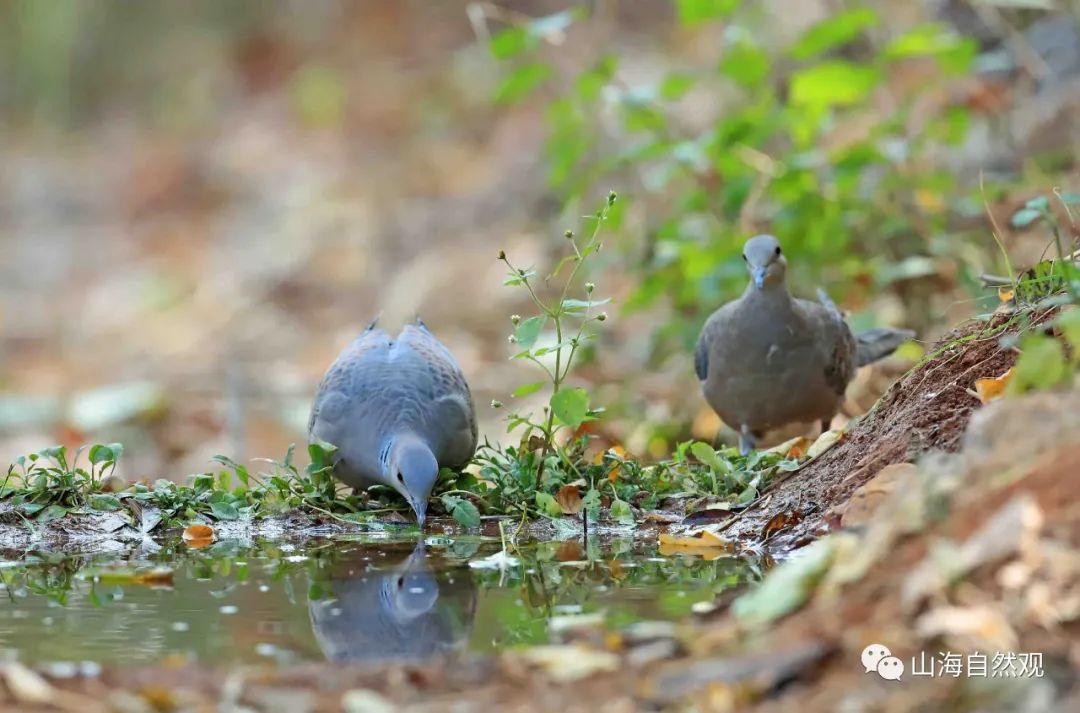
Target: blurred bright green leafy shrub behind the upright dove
800,147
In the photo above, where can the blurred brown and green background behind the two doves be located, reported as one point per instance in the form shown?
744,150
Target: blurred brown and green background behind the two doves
201,203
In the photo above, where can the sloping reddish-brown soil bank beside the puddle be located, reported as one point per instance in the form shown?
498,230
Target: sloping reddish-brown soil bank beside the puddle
927,411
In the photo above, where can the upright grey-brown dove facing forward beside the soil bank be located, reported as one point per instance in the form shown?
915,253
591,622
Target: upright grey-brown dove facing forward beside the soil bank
768,359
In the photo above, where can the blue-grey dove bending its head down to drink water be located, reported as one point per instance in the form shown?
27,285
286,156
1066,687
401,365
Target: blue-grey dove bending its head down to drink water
398,411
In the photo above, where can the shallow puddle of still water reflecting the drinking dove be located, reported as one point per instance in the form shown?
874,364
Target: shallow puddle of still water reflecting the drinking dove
337,599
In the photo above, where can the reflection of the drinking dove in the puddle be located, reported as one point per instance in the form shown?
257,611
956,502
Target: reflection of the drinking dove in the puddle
394,608
